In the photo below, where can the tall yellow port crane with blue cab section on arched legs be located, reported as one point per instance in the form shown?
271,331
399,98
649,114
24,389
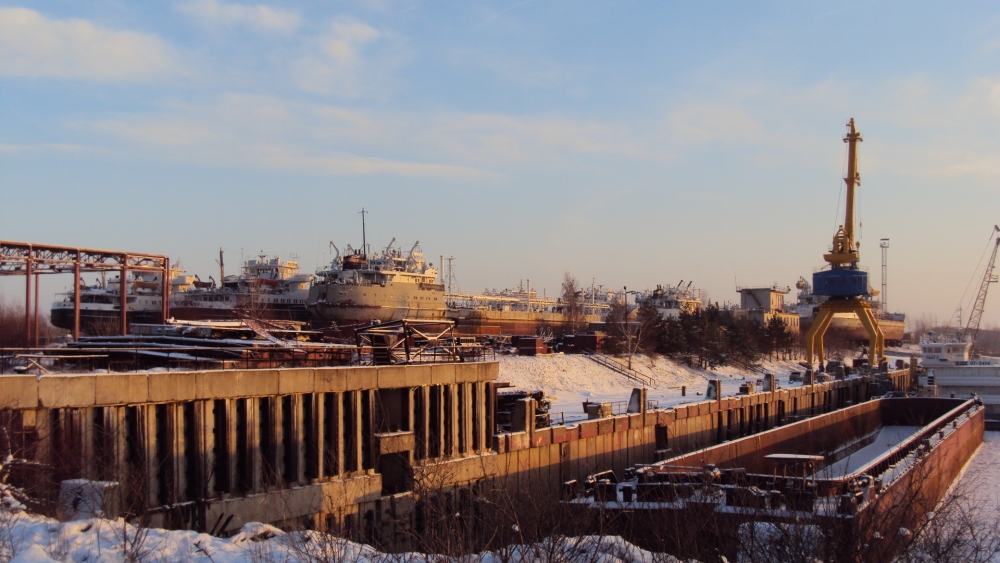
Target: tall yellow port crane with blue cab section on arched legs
845,284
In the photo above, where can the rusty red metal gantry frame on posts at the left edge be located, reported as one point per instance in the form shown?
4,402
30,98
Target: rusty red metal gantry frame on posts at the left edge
31,259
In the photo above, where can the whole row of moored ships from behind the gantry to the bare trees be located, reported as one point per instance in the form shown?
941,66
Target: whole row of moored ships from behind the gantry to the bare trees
357,288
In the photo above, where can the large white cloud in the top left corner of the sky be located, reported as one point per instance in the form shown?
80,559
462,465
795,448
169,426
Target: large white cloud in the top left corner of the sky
32,45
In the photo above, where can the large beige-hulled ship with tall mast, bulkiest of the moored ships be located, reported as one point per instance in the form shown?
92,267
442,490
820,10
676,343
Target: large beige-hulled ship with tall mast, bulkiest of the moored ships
361,287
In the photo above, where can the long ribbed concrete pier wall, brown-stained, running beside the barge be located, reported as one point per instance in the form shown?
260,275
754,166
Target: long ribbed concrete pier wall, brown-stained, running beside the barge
339,448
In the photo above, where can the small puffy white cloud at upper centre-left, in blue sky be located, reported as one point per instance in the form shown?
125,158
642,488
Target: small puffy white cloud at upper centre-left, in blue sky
337,65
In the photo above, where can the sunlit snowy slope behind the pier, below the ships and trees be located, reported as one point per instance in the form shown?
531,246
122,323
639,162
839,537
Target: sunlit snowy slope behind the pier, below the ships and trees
571,379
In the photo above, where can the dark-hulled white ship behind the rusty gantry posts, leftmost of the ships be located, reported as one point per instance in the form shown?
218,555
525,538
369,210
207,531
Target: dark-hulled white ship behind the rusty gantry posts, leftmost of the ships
100,304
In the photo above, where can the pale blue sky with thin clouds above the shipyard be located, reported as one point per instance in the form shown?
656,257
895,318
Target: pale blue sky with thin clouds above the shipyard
631,143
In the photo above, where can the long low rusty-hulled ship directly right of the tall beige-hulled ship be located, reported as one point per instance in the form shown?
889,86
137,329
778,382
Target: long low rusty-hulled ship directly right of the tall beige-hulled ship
521,311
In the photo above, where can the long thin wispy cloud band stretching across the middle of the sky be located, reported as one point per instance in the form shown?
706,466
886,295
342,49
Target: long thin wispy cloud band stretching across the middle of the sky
266,132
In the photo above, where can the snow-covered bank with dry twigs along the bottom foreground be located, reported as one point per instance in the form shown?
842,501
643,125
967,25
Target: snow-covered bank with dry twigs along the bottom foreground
28,538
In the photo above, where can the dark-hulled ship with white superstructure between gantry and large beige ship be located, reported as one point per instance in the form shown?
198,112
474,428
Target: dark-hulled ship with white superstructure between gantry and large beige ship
267,289
